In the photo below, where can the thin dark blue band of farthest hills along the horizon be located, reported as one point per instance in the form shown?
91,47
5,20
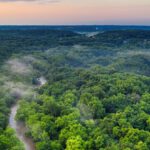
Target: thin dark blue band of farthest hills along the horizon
77,28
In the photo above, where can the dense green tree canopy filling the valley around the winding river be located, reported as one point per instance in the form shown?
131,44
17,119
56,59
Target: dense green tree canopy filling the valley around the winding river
97,94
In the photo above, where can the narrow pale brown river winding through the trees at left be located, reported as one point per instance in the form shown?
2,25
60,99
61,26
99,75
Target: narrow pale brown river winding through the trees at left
20,127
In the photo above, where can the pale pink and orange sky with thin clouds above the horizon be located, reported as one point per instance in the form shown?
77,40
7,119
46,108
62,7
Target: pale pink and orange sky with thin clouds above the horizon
57,12
